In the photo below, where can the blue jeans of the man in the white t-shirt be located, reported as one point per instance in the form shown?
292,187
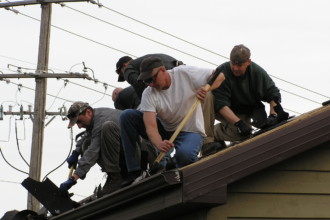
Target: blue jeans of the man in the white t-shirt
187,144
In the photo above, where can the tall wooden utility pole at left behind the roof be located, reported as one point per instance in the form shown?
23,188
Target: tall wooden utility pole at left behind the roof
40,91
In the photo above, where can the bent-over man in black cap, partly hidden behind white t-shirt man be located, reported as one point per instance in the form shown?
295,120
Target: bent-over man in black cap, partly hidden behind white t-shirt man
129,69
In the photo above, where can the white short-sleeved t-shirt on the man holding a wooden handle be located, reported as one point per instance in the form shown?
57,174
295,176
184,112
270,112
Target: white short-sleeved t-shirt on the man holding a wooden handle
172,104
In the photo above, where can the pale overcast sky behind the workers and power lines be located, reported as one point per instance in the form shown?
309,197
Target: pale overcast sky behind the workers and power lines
289,39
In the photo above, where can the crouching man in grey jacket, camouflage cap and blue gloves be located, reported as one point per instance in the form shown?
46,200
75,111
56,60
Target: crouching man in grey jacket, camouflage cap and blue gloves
99,144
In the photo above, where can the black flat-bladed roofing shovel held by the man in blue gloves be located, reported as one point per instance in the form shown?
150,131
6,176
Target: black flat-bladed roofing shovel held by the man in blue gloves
48,194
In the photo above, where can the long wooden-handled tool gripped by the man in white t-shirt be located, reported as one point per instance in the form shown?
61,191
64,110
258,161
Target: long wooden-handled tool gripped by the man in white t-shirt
156,166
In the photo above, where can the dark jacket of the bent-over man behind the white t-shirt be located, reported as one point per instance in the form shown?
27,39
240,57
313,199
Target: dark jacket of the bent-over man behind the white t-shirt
132,70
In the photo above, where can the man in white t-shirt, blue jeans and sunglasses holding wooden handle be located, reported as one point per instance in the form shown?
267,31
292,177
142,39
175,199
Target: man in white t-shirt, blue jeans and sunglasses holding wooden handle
169,97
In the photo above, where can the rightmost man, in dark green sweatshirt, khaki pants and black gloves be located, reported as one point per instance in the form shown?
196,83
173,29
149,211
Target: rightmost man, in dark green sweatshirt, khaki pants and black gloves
239,99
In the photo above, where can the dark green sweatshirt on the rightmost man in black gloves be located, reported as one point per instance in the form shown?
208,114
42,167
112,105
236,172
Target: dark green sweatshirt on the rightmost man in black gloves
244,94
